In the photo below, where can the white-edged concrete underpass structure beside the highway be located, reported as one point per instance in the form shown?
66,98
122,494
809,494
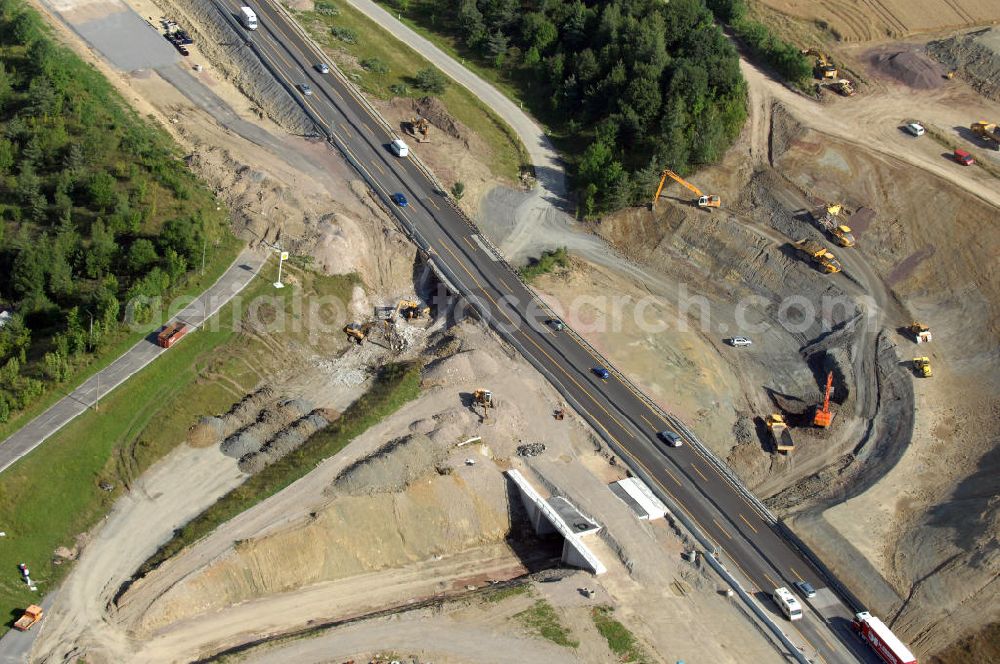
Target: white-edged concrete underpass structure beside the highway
558,515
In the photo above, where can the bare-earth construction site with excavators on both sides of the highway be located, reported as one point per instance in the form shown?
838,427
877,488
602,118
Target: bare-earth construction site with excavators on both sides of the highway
856,260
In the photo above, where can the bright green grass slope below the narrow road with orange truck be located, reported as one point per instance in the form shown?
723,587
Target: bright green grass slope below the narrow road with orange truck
53,494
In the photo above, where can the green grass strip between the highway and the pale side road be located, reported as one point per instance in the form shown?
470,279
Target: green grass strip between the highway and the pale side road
509,155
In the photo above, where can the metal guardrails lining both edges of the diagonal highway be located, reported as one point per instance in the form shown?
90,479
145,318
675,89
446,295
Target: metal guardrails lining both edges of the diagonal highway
443,273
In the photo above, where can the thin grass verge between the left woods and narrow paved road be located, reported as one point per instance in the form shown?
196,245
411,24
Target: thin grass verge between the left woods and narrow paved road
229,247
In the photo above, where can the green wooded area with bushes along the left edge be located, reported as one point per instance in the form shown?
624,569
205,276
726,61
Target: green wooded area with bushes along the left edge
97,207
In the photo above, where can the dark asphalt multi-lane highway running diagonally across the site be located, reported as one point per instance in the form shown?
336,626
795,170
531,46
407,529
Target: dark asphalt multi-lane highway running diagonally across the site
621,416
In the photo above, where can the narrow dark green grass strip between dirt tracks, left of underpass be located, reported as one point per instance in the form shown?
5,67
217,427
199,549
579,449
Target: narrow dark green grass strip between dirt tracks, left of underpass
394,386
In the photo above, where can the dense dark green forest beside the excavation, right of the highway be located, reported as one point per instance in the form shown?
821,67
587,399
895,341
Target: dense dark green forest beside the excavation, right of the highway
627,87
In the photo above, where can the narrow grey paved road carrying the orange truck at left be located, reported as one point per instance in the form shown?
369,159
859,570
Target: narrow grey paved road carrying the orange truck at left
31,435
